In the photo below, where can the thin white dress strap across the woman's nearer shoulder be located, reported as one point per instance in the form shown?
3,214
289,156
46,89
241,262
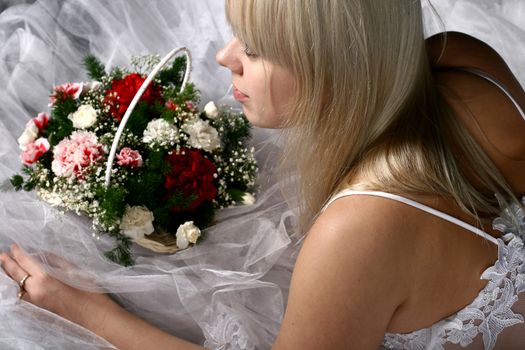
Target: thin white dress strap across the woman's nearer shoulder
415,204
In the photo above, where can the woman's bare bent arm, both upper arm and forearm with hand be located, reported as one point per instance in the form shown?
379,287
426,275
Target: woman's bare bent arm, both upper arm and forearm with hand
350,277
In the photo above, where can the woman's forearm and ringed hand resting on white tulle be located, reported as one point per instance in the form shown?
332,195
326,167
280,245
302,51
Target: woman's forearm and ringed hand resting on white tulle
93,311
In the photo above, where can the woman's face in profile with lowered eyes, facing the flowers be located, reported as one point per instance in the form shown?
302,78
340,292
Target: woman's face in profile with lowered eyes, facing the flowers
264,89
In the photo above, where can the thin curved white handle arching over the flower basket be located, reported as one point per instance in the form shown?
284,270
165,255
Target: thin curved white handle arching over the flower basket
136,99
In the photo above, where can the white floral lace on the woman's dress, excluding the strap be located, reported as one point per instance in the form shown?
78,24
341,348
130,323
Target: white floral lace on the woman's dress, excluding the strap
490,313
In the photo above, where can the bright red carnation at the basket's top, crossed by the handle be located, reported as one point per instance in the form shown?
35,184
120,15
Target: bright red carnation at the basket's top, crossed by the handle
122,91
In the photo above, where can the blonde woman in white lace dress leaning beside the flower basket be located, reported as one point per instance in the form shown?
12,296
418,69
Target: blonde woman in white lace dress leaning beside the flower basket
352,83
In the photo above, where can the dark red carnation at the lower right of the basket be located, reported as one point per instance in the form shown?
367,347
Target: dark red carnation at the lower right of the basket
190,174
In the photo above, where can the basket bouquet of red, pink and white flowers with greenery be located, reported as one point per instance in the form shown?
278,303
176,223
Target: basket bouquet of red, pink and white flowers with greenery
173,167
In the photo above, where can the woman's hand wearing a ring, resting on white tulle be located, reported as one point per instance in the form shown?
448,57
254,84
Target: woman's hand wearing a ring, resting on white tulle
43,290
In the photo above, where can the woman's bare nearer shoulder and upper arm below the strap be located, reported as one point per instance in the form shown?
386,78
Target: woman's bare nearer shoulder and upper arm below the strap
351,275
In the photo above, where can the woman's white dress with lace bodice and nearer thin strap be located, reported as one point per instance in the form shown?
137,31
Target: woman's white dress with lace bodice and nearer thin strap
495,318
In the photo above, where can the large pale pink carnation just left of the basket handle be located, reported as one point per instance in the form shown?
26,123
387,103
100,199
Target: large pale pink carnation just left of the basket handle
74,155
